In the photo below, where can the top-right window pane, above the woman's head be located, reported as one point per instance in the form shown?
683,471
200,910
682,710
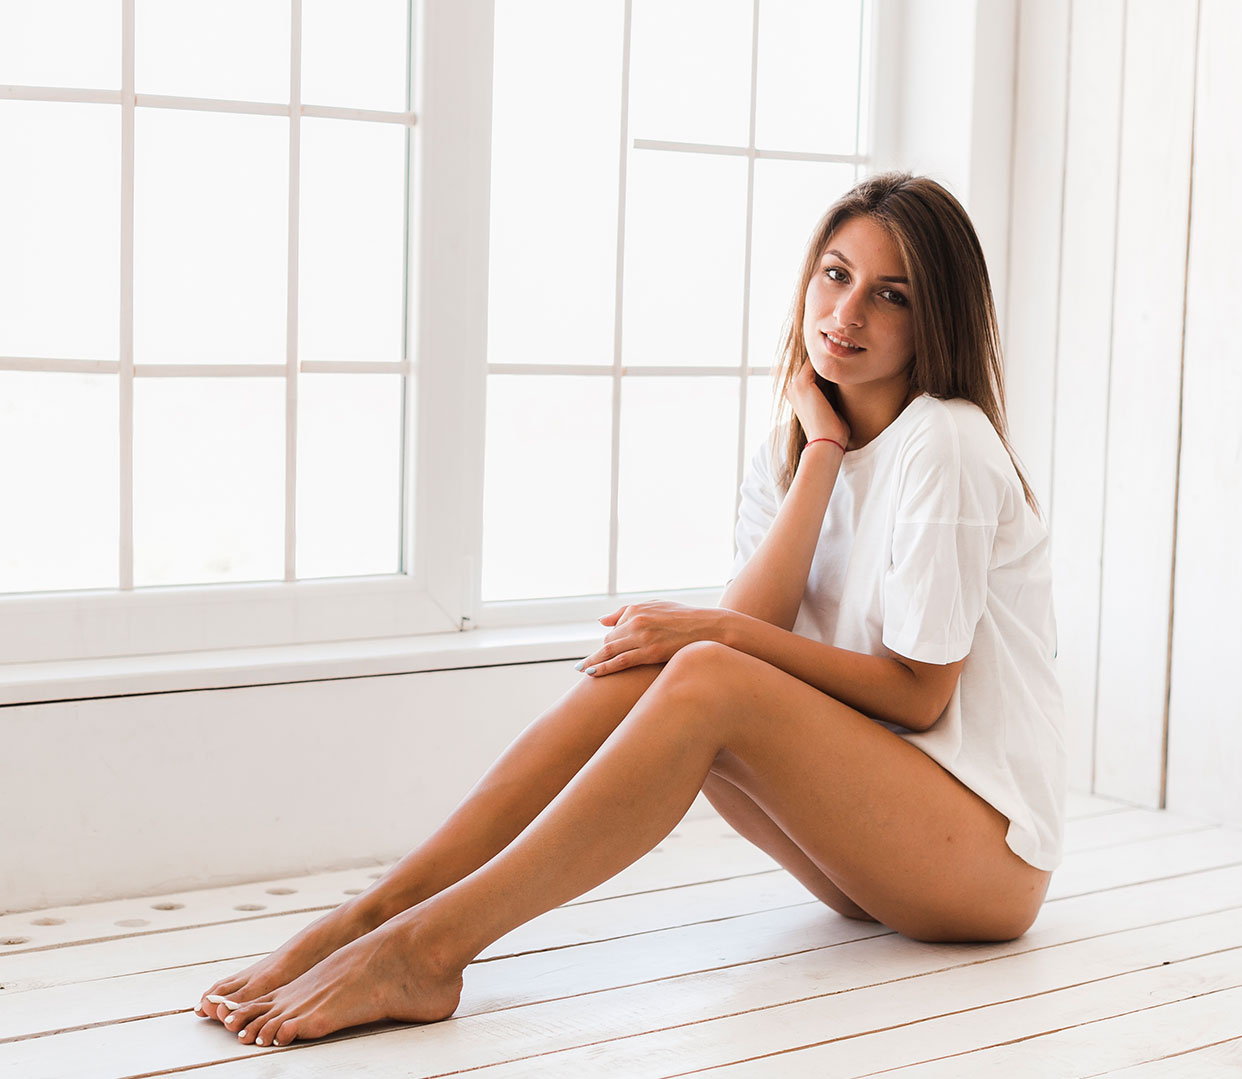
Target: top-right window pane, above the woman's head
808,85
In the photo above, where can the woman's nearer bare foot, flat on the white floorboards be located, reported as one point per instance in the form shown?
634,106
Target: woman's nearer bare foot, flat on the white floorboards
392,973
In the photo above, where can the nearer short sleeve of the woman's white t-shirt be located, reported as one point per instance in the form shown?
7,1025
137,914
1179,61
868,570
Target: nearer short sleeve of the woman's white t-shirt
936,588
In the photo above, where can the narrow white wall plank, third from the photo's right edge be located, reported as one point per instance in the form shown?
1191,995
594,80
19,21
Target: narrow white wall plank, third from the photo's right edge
1084,352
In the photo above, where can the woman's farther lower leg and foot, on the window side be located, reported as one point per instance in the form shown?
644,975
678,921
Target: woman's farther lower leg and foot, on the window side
526,778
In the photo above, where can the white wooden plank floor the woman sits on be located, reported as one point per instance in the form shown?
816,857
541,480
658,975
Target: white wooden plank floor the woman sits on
701,959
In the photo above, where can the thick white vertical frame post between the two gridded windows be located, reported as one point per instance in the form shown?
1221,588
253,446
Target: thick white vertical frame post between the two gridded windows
454,220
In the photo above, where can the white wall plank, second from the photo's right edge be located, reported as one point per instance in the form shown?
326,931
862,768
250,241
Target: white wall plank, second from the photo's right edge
1143,418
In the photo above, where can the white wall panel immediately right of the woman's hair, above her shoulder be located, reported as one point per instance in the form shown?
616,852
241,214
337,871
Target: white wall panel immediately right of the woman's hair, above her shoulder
1035,234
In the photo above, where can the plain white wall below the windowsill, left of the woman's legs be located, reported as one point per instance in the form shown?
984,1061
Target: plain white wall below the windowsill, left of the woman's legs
158,793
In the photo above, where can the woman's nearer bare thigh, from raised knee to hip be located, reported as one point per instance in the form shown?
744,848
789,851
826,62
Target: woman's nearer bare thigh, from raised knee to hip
900,836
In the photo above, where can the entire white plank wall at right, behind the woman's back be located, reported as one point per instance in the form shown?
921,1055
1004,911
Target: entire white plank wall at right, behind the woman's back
1125,379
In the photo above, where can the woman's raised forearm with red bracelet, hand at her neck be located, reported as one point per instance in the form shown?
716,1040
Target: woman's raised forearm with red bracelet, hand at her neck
772,583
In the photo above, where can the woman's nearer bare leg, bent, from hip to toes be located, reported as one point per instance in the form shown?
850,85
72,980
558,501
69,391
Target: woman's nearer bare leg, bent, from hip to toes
900,835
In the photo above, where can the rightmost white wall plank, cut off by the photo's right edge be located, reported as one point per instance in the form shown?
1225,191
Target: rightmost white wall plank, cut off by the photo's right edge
1205,715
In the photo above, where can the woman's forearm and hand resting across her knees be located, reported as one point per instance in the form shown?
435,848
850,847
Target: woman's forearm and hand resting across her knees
892,688
